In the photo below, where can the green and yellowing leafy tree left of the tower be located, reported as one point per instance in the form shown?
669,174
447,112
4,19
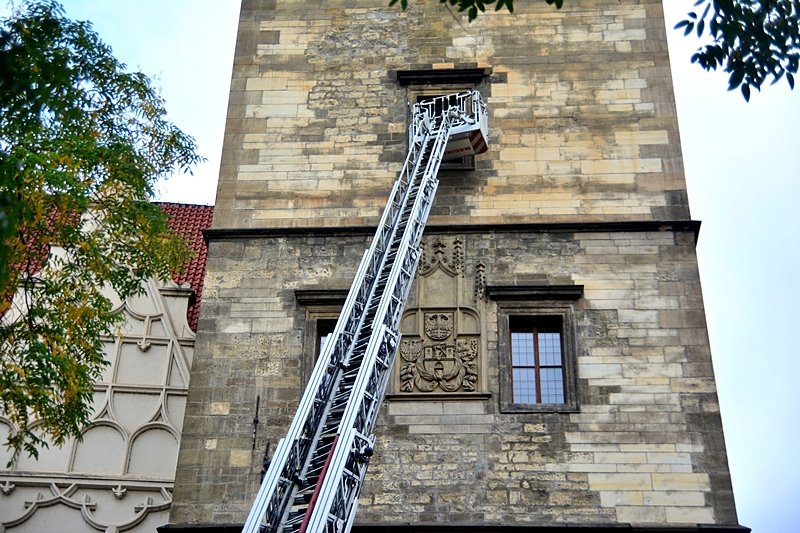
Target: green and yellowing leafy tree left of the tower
82,144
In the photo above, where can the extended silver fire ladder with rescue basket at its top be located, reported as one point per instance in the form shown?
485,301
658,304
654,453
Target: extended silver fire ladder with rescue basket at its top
316,474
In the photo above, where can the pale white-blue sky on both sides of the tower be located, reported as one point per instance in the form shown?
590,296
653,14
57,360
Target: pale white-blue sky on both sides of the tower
742,163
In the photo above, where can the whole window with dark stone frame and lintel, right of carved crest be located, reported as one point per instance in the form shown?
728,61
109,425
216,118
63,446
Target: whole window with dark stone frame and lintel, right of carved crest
536,346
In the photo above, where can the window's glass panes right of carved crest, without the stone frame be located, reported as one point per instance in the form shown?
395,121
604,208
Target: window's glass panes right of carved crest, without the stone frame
537,362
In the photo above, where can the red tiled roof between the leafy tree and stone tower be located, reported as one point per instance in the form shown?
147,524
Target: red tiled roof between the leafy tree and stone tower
190,221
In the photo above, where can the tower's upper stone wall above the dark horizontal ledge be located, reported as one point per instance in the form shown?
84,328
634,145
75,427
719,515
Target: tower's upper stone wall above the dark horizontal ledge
582,118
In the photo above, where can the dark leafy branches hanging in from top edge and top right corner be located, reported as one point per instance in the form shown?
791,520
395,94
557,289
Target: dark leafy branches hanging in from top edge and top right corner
751,40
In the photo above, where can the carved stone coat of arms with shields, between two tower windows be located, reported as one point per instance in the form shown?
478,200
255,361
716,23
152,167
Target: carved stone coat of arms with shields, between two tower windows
439,360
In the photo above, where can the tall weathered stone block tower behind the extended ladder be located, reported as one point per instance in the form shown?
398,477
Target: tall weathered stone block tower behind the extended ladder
555,368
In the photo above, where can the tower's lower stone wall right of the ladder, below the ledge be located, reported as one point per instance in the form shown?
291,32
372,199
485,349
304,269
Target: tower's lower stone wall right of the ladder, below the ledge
645,446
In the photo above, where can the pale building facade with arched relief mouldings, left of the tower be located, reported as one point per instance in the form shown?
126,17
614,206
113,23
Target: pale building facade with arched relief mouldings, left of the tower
120,477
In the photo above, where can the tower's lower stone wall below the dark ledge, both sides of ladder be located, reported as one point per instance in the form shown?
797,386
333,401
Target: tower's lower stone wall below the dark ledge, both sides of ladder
644,447
